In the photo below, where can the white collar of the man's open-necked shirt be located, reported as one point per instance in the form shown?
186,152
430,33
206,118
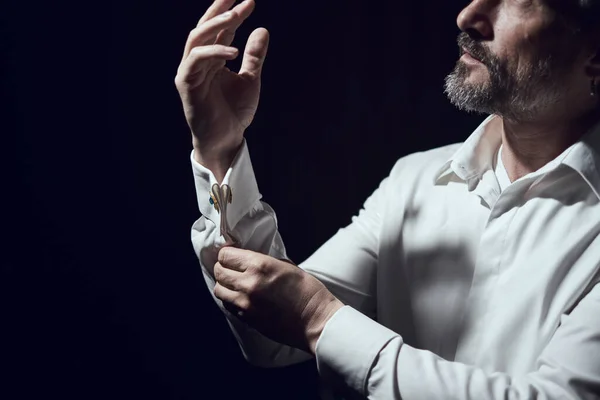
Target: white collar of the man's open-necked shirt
476,155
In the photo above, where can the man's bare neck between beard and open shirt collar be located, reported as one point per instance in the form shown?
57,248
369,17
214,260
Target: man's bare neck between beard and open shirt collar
527,147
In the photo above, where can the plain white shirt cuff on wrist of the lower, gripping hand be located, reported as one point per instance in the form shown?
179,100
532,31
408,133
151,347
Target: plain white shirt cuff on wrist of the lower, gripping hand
348,347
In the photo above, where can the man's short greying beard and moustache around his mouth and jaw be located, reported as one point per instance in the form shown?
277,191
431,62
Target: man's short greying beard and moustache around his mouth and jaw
519,95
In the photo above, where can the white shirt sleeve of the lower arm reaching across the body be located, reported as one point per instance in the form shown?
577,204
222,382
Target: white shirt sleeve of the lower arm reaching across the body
373,361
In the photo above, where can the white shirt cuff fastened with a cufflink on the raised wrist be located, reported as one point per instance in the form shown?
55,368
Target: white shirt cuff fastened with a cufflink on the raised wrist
240,178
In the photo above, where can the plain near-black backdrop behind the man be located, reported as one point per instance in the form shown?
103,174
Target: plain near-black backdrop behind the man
101,293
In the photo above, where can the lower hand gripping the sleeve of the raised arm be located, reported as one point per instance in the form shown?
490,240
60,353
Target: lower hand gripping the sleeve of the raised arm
277,298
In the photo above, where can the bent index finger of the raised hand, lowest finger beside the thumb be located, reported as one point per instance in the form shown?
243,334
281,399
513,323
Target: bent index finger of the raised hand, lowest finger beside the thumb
203,59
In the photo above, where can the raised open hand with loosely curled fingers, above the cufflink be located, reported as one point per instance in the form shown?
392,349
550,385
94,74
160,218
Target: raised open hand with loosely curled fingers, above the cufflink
220,104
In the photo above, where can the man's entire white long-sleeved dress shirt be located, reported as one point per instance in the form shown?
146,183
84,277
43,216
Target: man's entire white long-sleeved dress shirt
454,288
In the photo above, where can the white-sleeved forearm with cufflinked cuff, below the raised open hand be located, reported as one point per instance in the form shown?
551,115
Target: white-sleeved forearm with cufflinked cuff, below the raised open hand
254,226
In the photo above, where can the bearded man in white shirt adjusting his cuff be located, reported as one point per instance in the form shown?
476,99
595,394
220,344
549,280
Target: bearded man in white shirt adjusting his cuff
473,271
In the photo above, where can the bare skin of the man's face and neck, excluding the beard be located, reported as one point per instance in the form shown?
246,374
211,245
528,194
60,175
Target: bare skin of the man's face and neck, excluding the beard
512,29
